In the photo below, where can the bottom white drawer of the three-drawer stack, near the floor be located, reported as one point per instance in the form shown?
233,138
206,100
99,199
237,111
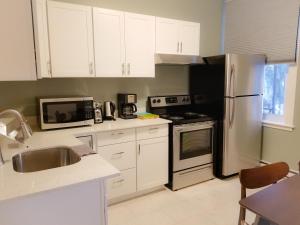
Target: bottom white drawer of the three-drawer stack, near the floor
123,184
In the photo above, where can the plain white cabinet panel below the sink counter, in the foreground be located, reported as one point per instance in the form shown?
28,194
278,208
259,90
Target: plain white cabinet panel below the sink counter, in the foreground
78,204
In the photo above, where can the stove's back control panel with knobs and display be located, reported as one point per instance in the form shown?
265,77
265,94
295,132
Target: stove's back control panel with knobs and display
164,101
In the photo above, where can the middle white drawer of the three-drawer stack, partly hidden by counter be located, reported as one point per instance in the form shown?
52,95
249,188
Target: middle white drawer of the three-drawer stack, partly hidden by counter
122,156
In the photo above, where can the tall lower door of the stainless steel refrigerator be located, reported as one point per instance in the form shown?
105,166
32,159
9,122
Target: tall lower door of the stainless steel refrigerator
242,134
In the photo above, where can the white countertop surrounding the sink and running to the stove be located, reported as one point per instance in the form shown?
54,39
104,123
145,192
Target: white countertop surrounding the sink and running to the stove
92,167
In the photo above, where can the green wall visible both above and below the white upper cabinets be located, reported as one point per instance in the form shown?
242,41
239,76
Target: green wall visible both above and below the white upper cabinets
169,79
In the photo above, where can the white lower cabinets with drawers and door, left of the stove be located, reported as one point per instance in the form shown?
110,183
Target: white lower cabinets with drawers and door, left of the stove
140,154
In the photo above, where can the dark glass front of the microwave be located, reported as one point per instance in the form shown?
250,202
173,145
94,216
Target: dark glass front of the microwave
67,112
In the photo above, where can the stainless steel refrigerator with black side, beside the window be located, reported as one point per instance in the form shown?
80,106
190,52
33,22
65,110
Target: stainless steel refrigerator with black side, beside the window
235,83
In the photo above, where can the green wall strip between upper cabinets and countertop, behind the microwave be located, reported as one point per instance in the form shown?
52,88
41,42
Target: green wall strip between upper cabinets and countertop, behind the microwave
22,95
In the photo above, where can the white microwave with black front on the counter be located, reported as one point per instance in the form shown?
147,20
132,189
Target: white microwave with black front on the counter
55,113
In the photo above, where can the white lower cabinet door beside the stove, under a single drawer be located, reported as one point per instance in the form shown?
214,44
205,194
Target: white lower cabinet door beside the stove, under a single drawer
152,163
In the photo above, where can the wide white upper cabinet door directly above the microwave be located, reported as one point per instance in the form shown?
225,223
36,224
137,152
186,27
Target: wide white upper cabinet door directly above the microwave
71,40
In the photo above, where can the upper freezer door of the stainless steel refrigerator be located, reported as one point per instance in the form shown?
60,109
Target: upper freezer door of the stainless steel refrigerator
244,74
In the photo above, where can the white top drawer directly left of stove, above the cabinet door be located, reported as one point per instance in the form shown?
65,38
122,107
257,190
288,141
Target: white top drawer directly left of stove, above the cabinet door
152,132
